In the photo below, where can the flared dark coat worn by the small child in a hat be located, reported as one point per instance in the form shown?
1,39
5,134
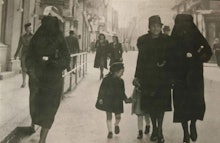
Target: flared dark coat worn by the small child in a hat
112,92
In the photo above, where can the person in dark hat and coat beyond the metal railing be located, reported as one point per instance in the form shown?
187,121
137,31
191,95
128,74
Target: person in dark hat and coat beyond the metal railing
73,45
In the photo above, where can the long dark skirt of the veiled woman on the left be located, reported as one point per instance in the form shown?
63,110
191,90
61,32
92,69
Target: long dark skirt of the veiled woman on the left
45,95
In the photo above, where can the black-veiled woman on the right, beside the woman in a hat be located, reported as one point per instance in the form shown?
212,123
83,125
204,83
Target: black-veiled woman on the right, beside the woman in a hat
191,50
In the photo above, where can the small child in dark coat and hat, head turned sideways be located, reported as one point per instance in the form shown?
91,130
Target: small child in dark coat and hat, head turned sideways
111,96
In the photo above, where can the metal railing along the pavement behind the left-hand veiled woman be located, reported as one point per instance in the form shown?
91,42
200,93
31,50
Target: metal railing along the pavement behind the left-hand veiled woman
75,74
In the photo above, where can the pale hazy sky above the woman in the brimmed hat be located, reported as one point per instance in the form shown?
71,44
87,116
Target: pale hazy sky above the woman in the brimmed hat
143,9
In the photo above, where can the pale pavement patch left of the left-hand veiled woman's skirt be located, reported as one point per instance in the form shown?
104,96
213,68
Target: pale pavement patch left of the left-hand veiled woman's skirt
14,105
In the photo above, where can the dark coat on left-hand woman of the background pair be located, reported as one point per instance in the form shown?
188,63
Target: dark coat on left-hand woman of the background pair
102,52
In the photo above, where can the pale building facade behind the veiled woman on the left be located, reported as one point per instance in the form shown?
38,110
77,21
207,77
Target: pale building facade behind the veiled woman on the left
15,13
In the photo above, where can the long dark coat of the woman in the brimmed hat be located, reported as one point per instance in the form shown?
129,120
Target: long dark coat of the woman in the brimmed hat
154,80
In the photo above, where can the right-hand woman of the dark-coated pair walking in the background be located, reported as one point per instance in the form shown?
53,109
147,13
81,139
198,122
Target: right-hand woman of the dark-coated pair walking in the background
115,51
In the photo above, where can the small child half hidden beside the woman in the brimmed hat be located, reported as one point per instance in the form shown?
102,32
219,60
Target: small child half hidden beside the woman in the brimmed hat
136,109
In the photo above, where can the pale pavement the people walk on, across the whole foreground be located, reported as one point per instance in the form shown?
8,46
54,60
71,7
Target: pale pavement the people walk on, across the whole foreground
78,120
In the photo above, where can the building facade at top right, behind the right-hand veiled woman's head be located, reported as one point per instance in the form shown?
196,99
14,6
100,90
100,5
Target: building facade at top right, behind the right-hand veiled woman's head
206,15
